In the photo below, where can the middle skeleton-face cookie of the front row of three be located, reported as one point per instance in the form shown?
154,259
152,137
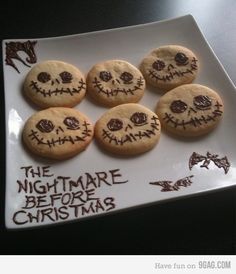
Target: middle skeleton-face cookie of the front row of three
128,129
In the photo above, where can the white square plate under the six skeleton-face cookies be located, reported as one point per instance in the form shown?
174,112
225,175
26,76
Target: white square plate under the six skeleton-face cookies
40,192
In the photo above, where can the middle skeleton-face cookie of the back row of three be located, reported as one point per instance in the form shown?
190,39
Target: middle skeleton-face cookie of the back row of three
115,82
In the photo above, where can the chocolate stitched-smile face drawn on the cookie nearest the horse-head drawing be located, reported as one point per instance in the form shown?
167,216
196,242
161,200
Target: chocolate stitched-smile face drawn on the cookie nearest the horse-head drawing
64,82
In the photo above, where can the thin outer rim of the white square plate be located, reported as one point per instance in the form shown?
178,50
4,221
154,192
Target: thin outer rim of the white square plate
184,17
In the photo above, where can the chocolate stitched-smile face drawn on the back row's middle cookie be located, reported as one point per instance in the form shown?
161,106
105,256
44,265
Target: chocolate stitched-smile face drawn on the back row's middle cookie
125,78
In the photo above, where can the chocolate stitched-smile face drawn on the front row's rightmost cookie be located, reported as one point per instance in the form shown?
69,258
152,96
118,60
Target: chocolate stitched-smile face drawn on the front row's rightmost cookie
212,110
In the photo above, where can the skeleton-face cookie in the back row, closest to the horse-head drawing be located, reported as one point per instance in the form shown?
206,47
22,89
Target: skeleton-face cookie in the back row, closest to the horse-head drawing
55,84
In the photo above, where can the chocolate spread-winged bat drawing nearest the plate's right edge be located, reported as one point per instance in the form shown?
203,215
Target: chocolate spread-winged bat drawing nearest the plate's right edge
196,158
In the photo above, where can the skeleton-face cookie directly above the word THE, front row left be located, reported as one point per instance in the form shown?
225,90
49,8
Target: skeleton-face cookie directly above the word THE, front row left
57,133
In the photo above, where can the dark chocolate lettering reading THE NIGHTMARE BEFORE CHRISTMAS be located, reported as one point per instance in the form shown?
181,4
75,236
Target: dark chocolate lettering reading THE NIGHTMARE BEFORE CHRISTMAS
62,197
